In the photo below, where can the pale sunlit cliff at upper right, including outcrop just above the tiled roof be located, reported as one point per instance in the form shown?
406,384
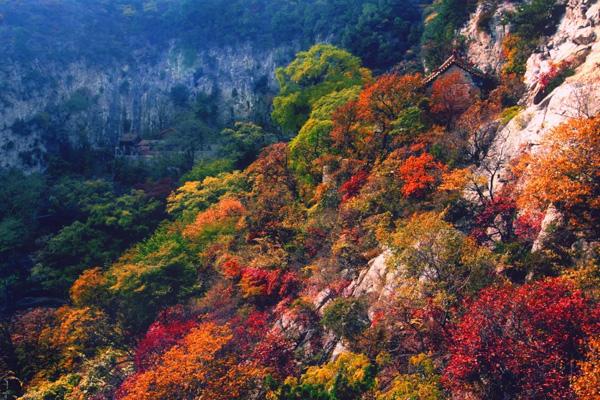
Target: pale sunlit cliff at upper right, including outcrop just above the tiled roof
576,46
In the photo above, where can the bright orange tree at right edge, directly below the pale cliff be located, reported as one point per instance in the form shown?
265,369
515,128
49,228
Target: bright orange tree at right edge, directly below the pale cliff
566,173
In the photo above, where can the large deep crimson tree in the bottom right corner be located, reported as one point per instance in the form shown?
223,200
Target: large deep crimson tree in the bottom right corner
521,343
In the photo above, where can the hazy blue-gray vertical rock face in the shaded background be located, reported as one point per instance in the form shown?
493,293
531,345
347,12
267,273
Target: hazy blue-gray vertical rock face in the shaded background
98,104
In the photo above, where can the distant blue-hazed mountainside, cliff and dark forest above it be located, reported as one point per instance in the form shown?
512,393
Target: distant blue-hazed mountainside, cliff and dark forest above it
95,70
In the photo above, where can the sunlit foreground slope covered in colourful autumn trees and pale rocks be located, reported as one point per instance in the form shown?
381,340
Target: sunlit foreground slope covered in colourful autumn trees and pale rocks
417,238
